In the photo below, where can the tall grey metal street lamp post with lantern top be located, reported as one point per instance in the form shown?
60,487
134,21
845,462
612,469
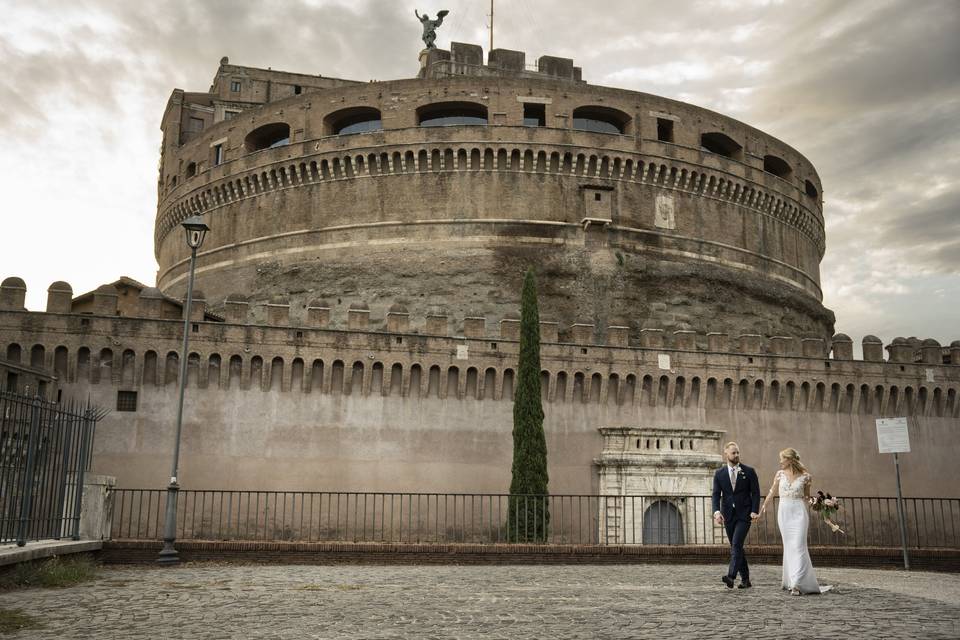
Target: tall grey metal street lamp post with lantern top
196,230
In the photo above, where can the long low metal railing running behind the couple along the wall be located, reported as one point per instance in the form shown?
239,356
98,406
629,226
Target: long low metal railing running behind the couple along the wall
305,516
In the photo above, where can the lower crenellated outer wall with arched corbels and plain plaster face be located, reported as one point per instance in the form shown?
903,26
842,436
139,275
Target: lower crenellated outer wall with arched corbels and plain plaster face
345,401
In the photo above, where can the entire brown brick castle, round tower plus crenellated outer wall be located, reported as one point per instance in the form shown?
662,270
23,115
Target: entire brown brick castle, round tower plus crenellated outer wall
357,326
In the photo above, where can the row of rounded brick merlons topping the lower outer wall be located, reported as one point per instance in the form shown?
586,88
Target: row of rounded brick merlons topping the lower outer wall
321,315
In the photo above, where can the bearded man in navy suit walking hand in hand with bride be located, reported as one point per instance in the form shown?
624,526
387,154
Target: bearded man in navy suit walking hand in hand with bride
736,503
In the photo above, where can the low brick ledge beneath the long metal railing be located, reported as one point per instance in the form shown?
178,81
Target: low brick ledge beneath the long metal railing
145,551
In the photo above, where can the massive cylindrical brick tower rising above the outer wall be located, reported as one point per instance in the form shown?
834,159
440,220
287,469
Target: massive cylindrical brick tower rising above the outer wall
635,209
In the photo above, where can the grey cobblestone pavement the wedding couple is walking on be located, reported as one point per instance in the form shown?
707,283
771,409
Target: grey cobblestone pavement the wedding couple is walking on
639,601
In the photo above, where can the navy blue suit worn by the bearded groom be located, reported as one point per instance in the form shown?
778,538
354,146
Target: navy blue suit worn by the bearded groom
736,504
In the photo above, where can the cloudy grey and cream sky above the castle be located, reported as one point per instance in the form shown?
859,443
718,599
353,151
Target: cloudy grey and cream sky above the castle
869,90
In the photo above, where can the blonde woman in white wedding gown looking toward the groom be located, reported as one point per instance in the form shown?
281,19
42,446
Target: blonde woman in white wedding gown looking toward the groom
793,483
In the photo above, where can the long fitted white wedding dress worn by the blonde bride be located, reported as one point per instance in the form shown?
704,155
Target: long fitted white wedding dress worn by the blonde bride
793,519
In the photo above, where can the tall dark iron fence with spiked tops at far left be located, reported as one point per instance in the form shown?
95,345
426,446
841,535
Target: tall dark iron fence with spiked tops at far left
45,449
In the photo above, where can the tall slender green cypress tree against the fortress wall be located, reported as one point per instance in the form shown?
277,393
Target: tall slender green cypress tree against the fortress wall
528,511
